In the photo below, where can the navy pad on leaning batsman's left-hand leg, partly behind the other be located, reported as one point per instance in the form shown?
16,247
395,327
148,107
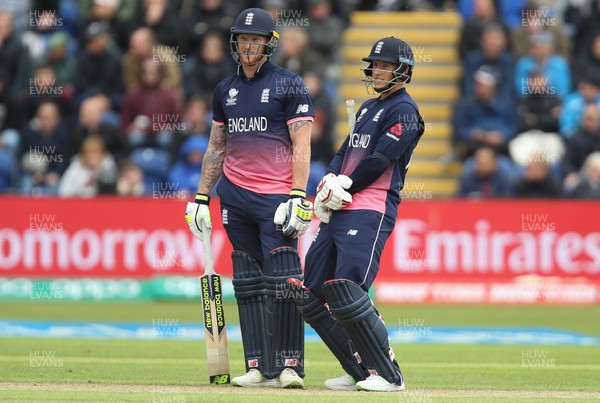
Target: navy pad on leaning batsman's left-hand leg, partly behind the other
333,335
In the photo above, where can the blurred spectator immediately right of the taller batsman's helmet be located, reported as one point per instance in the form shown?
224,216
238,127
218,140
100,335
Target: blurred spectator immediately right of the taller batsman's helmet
295,54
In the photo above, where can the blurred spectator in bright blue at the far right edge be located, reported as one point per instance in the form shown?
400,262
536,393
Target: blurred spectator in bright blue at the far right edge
588,92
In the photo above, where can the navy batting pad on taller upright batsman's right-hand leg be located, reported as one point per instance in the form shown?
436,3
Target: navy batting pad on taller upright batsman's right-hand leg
284,322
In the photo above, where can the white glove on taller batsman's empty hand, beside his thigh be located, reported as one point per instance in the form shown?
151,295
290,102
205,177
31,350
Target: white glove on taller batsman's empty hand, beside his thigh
294,215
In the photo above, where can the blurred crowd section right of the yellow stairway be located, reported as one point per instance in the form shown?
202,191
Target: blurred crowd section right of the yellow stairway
527,123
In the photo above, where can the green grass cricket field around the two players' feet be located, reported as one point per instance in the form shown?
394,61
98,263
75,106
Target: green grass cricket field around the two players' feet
175,371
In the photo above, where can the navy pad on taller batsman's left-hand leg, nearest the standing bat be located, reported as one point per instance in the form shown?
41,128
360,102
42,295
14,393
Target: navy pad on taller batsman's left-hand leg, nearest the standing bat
249,289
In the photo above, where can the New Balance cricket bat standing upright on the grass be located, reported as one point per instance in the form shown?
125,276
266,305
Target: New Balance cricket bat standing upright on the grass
215,333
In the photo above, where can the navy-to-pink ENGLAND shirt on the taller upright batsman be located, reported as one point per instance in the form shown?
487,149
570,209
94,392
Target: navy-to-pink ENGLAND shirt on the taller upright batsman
256,113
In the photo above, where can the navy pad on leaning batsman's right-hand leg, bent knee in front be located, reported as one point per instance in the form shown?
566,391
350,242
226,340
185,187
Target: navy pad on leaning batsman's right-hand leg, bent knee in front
353,309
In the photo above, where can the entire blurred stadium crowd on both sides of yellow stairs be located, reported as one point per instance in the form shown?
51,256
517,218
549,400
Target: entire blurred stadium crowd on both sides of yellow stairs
114,96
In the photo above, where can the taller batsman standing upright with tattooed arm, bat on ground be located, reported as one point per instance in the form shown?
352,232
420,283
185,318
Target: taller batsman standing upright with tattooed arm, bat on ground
260,142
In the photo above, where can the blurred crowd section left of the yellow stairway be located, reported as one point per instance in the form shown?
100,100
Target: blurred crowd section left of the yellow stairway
114,96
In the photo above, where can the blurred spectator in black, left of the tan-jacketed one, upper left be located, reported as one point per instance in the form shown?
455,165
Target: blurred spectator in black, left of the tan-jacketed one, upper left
99,67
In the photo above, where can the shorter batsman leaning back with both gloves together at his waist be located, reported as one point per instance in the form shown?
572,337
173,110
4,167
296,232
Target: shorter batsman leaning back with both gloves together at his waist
357,203
